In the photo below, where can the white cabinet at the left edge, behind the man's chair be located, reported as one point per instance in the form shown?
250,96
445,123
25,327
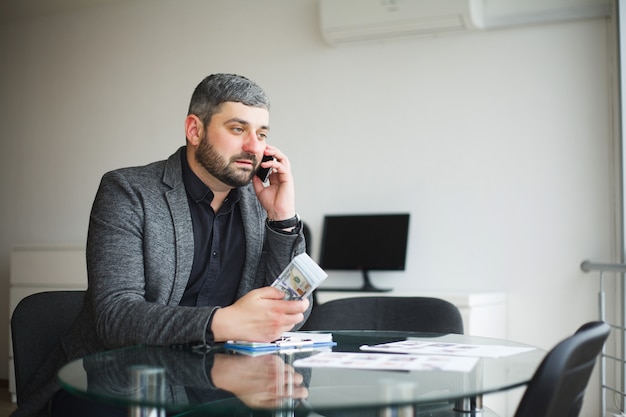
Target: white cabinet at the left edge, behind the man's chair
43,268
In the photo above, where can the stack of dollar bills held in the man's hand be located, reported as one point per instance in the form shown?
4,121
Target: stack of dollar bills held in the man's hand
300,278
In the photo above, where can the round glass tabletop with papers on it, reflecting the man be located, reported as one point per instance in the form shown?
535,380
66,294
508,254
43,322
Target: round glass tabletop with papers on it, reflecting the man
452,367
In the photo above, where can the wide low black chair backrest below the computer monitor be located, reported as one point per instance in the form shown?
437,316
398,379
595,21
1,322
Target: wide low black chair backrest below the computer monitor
423,314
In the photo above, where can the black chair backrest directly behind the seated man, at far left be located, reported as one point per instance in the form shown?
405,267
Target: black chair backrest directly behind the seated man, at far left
37,325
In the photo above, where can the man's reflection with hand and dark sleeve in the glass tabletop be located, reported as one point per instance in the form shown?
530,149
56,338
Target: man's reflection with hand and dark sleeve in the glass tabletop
217,380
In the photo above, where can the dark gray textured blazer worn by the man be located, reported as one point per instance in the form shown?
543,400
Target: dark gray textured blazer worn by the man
139,257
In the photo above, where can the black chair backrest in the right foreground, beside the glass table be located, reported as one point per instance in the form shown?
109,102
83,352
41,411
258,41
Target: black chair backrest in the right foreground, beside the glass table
558,386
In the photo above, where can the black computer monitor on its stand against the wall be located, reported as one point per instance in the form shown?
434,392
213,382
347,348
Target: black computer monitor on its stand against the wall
364,242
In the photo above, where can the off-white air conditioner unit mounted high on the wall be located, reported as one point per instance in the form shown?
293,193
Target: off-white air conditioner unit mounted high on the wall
358,20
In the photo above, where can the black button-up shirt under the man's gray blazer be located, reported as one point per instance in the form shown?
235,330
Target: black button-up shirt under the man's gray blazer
219,245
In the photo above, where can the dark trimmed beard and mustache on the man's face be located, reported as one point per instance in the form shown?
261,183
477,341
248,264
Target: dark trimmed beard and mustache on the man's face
223,170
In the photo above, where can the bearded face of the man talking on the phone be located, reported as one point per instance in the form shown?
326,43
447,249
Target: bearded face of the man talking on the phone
233,144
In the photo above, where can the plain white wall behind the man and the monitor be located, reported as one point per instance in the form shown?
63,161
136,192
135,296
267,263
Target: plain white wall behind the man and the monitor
498,143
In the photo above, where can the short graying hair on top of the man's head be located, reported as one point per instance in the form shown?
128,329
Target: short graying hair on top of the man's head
216,89
